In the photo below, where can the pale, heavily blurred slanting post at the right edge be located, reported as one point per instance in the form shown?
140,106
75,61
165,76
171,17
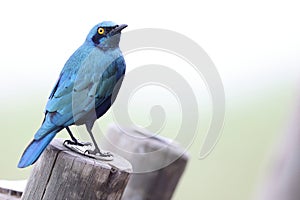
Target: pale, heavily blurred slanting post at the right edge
282,179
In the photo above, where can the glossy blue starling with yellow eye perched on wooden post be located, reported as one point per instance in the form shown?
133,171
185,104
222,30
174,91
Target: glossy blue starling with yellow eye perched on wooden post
84,91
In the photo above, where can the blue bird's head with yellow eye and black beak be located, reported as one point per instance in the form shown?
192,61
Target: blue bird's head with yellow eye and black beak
105,35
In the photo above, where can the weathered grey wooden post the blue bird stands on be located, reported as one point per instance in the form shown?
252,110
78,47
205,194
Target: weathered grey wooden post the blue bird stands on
63,174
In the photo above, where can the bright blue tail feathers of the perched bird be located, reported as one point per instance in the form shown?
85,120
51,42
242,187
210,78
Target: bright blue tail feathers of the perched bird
35,149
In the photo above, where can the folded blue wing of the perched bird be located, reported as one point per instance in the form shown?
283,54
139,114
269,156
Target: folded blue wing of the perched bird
82,85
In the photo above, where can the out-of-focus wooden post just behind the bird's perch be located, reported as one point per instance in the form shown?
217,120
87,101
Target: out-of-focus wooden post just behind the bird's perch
157,163
